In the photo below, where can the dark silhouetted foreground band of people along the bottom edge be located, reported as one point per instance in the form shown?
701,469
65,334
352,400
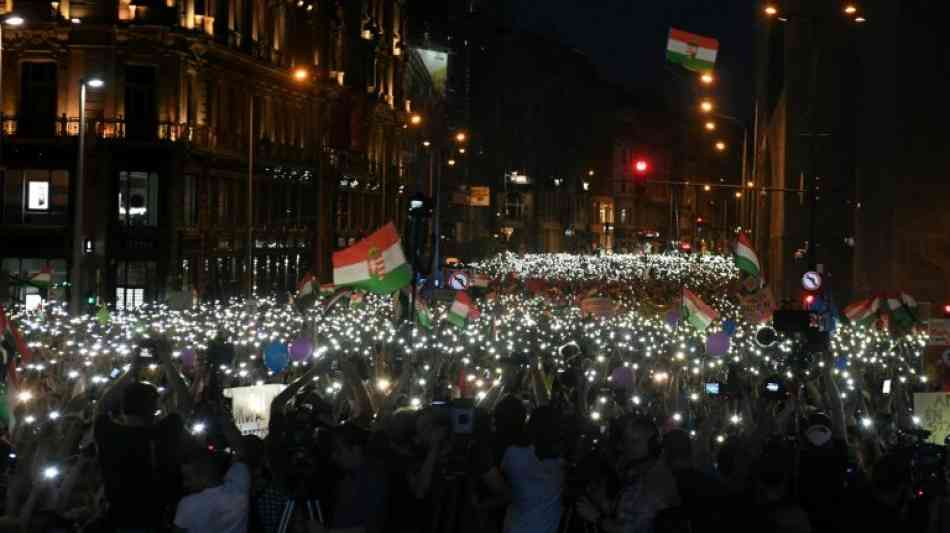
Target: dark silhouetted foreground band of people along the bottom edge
544,451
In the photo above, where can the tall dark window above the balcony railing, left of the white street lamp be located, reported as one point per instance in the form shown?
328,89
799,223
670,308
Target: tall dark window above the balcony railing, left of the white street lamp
37,113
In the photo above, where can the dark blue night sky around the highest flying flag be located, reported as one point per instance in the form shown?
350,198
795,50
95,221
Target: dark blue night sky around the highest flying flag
626,39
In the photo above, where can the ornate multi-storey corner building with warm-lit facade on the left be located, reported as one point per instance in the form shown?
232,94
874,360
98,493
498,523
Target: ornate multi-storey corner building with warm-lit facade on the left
209,129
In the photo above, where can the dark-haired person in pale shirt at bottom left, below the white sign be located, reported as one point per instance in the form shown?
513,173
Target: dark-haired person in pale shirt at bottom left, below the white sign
217,505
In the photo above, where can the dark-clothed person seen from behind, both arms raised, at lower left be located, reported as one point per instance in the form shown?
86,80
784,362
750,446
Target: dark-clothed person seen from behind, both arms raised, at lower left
138,453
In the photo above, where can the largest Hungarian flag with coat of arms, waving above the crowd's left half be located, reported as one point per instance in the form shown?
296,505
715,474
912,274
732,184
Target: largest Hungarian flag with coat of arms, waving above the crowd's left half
376,263
